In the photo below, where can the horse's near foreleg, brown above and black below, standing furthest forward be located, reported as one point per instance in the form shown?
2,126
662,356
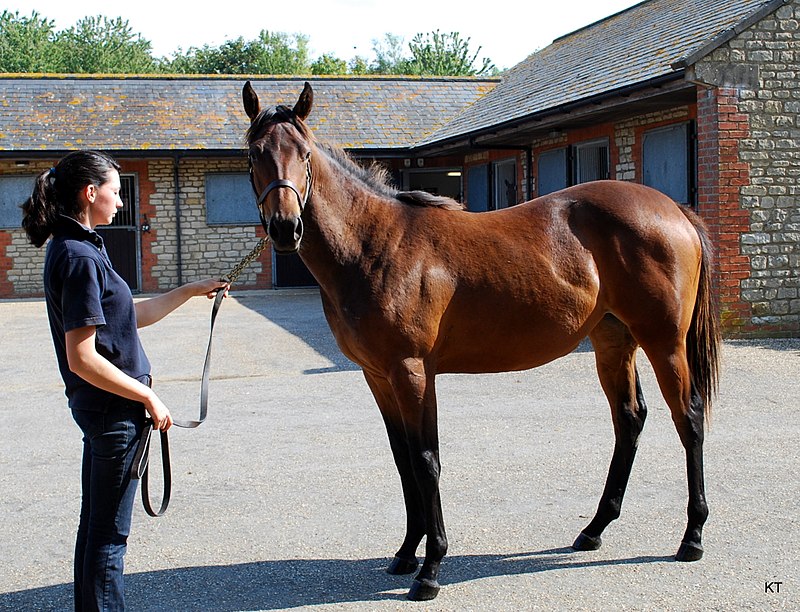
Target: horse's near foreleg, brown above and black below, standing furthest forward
416,397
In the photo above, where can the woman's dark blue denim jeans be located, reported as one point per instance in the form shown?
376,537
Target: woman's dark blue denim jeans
110,437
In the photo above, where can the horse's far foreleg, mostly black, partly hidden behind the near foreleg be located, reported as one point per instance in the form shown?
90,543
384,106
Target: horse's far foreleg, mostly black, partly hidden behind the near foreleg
405,560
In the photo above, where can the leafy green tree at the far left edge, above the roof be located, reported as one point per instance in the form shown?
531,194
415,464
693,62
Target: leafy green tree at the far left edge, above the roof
26,43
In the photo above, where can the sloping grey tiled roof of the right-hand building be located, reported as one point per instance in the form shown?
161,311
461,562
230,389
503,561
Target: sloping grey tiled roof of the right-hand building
634,46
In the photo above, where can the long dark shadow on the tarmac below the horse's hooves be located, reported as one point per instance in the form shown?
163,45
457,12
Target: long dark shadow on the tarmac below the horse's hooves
274,585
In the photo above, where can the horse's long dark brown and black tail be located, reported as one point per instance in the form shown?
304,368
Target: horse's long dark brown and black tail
704,338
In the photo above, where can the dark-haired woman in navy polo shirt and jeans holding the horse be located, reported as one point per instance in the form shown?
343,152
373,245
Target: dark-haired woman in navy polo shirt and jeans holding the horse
93,321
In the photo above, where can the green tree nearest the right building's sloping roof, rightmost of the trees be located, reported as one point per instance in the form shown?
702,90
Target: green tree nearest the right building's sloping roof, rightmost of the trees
438,54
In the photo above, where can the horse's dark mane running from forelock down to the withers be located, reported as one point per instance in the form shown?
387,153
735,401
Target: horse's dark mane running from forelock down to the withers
374,177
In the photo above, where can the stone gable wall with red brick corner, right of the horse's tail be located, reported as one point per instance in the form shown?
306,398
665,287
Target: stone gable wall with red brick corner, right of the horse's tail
753,208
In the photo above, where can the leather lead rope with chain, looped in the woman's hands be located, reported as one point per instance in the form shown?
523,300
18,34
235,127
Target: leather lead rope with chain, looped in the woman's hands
140,467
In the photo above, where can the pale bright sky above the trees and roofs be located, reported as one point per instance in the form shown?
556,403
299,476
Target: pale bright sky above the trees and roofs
506,33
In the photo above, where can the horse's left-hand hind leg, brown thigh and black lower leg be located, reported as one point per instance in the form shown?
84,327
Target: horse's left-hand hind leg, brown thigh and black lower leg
615,354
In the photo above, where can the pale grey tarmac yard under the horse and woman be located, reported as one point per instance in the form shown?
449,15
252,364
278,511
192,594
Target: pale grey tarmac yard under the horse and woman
288,498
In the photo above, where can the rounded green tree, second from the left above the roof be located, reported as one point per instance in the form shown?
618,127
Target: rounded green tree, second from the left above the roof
103,45
